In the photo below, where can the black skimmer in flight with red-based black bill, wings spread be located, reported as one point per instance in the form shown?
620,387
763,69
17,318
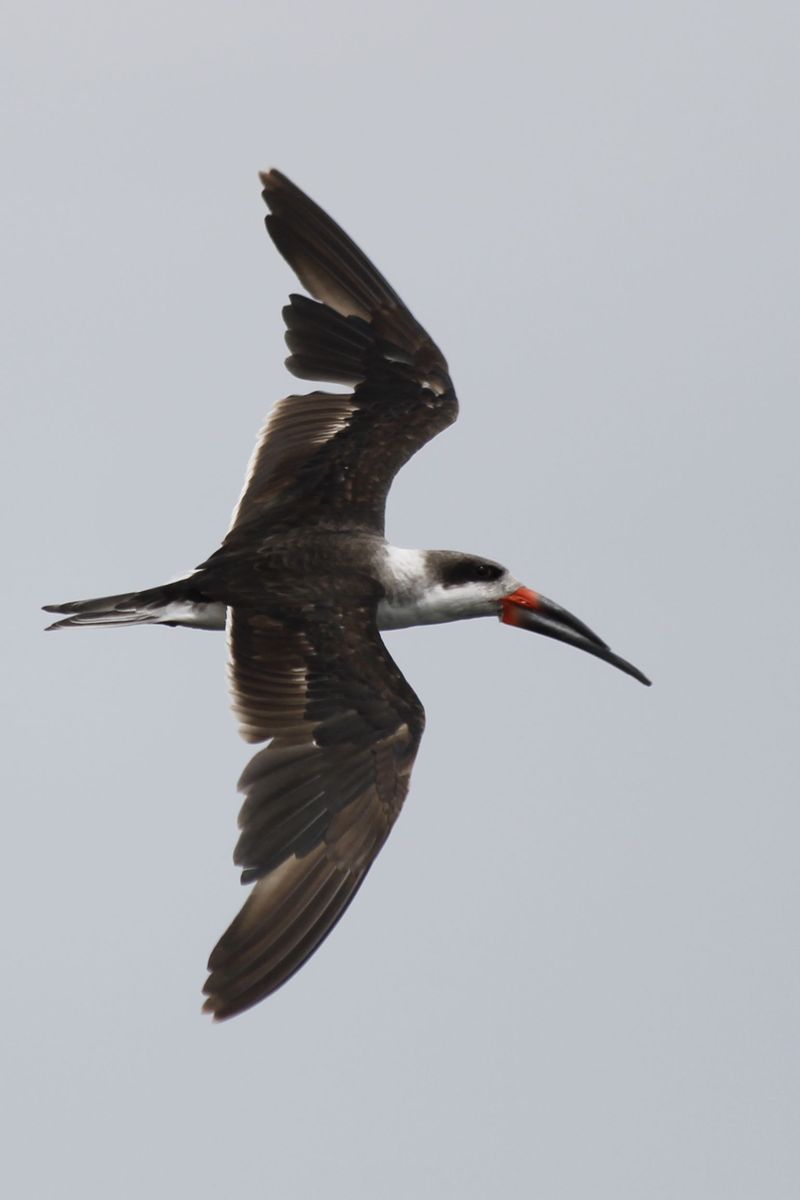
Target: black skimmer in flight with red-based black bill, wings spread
304,584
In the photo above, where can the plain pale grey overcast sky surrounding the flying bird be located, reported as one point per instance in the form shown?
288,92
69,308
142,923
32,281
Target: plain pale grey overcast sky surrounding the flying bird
574,970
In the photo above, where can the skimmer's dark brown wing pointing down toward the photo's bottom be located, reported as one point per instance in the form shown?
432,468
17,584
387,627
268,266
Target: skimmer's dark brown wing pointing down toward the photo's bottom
322,799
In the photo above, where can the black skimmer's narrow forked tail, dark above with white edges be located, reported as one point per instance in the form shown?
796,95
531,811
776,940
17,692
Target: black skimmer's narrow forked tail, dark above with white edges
175,604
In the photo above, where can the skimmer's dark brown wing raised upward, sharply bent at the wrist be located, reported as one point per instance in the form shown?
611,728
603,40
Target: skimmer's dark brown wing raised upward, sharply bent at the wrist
330,459
